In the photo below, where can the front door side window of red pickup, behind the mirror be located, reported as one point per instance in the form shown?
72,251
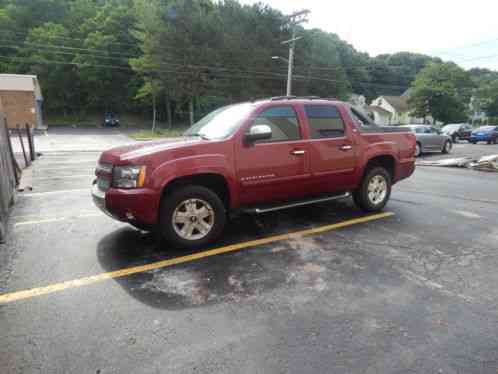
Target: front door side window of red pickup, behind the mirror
283,123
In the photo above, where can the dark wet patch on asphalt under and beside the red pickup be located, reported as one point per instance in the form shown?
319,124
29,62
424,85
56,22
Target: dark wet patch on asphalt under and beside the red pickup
304,265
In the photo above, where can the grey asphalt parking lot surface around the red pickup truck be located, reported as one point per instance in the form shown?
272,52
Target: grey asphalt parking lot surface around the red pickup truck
411,291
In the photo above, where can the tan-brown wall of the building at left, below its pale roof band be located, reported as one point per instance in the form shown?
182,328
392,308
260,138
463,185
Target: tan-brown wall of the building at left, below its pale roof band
20,107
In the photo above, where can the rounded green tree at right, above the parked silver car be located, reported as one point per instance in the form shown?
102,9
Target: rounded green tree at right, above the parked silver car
443,91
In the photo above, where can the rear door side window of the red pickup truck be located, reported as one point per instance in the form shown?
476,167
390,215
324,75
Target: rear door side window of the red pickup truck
324,121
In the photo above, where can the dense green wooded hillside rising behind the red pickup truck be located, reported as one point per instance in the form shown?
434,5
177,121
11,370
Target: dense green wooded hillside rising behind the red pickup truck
176,56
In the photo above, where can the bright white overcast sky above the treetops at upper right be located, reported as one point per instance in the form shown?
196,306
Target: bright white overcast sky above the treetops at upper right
465,32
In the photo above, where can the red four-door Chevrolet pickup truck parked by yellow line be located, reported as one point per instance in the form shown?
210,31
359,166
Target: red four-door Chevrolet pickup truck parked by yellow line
252,157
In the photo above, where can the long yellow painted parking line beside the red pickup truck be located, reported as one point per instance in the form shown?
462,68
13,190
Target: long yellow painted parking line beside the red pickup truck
39,291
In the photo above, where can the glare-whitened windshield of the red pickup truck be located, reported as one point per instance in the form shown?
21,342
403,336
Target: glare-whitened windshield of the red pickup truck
221,123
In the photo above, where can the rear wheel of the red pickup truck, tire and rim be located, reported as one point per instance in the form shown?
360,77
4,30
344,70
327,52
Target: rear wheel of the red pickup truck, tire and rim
368,197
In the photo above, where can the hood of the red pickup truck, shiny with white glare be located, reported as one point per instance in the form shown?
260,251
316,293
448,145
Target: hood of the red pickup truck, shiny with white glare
135,151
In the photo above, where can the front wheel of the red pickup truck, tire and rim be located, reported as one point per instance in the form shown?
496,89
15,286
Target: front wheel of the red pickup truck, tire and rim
186,203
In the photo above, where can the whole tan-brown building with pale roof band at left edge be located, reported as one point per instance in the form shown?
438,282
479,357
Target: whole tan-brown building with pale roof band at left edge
22,100
